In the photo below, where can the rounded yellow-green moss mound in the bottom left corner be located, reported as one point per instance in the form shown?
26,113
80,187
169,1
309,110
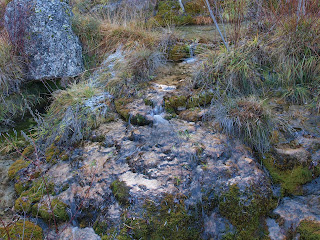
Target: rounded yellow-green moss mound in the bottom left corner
22,230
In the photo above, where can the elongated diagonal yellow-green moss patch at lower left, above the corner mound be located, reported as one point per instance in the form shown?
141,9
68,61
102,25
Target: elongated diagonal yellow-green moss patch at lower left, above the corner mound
32,196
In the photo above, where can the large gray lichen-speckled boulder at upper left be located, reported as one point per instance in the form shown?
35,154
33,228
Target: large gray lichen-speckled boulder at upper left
41,29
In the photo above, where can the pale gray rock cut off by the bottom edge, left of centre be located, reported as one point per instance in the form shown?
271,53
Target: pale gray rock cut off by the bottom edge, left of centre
75,233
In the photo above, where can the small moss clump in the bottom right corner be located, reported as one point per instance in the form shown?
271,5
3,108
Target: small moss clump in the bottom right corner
309,230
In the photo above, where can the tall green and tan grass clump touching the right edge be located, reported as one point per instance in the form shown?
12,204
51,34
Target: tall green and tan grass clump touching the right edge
295,45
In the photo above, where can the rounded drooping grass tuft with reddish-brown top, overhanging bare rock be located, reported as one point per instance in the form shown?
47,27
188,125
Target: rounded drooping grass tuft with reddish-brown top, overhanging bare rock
246,118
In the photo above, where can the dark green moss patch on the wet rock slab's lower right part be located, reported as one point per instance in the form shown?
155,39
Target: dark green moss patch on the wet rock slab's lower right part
245,211
